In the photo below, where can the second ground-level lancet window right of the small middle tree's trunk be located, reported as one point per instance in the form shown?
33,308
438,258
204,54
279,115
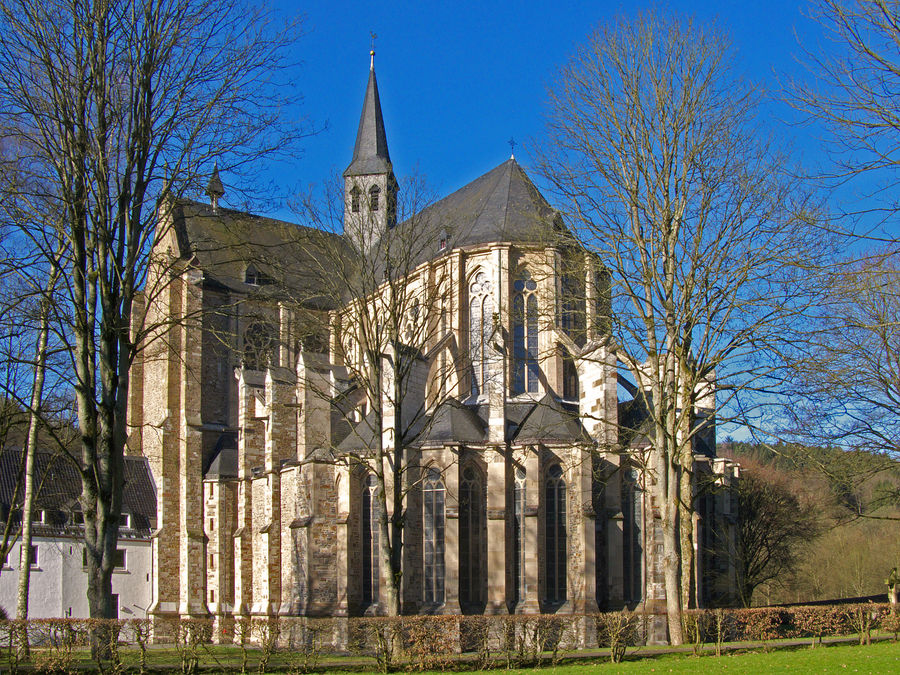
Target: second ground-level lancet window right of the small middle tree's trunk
471,538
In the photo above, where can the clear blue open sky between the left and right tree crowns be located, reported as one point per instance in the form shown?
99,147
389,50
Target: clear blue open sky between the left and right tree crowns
459,79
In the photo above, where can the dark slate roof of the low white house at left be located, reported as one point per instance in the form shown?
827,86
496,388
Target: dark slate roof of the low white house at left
60,487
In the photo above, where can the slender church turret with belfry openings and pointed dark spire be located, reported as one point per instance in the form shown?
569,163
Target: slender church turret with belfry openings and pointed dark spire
370,189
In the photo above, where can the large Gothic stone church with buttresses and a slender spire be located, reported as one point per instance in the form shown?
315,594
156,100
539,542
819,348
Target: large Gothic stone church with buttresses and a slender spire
522,492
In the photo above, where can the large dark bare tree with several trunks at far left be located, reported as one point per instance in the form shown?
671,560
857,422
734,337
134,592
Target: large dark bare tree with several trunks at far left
112,106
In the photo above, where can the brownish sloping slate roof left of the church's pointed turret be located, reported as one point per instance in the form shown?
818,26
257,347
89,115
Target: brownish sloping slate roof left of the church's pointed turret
222,243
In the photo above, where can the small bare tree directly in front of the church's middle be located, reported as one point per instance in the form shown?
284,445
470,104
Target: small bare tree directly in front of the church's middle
392,334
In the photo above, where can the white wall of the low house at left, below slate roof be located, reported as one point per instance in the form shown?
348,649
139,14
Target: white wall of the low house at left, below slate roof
58,586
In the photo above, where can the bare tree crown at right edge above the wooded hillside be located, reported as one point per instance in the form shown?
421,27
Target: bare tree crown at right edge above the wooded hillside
843,419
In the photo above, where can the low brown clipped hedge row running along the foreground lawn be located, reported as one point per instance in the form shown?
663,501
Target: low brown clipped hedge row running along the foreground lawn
296,644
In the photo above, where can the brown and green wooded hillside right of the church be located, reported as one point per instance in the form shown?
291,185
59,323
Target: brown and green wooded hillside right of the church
846,503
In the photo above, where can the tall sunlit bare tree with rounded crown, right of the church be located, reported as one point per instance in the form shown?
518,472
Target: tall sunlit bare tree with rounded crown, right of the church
655,151
